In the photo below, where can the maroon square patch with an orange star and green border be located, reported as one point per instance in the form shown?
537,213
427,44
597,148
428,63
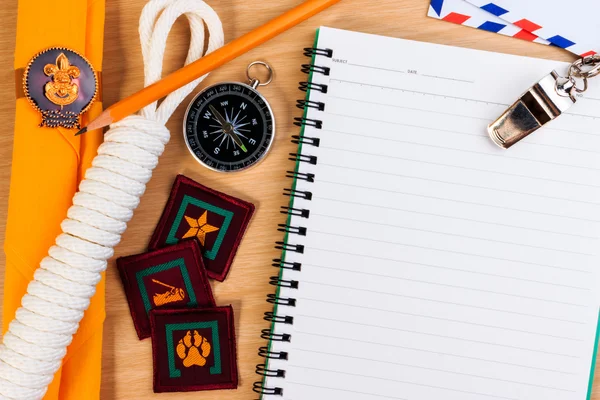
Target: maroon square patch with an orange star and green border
214,219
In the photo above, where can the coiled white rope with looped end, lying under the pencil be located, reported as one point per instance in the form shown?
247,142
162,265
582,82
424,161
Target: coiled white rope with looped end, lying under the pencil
32,349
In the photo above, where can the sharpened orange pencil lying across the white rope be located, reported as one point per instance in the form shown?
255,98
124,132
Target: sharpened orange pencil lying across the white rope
235,48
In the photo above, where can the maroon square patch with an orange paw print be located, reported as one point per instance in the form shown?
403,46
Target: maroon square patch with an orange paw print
193,349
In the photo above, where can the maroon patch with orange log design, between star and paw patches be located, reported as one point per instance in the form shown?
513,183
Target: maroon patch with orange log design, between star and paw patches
172,277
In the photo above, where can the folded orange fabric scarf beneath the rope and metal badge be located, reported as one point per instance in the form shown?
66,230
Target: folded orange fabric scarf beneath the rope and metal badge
47,165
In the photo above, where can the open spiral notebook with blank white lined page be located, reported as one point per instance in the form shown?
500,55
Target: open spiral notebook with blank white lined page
420,261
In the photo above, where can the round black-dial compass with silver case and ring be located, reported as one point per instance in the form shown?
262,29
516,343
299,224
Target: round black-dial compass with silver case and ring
229,126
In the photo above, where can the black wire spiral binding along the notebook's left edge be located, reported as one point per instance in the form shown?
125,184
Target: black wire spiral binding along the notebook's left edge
275,299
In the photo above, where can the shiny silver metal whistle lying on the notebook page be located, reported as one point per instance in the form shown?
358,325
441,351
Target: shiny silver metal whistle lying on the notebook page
542,103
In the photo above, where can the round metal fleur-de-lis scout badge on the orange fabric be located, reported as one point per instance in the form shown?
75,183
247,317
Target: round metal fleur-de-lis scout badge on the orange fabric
61,84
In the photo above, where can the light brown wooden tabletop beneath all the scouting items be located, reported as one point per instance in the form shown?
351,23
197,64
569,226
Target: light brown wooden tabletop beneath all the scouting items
127,370
